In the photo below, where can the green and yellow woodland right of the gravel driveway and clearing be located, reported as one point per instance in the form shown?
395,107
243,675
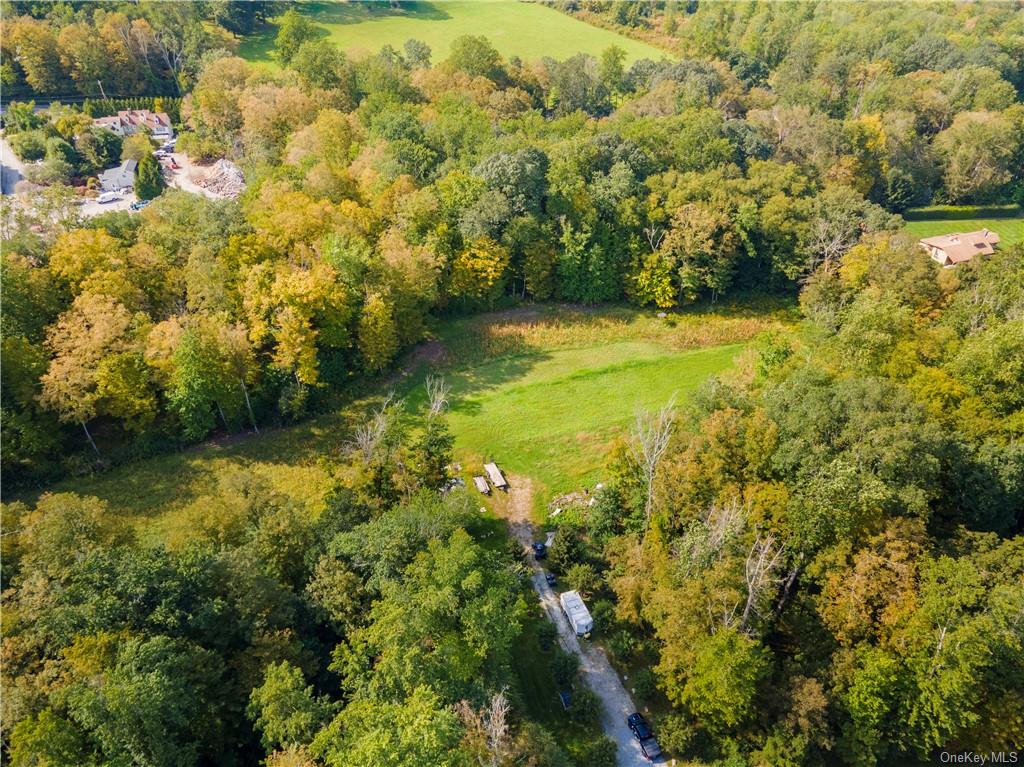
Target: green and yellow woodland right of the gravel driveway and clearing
839,528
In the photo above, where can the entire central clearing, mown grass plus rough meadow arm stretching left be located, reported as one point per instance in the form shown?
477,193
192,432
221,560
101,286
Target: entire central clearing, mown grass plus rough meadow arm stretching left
542,391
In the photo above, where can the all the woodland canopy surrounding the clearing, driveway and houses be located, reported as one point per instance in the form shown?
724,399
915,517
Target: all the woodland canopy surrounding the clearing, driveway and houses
825,565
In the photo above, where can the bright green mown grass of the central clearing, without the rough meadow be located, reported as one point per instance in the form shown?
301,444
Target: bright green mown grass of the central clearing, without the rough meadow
553,418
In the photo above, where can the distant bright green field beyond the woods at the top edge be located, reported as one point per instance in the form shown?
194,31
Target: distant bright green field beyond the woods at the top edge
525,30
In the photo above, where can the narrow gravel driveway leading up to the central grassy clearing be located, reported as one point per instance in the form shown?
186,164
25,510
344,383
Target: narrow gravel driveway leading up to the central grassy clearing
595,669
